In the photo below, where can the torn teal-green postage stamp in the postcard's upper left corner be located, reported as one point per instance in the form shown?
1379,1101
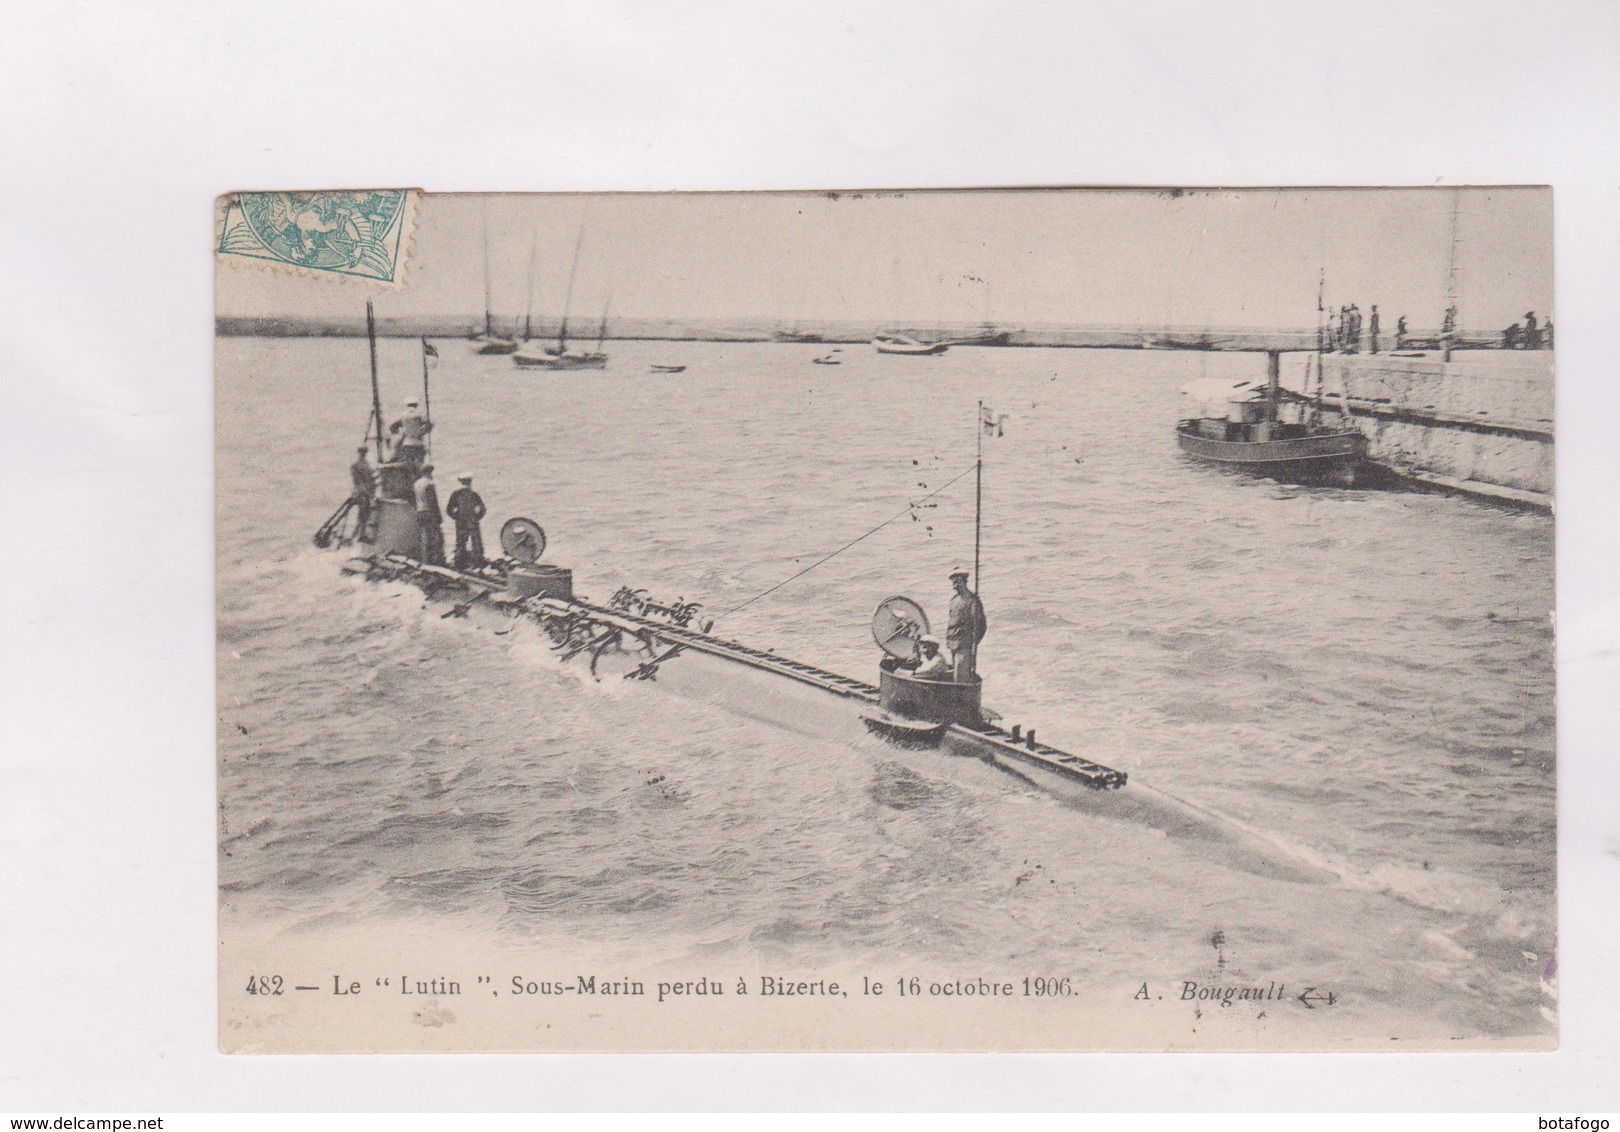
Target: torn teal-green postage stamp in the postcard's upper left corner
360,234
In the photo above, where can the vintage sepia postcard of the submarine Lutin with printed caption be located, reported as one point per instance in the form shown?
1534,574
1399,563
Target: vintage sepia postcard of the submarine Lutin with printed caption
885,621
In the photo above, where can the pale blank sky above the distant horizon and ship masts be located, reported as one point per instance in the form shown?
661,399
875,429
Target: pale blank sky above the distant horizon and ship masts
1217,258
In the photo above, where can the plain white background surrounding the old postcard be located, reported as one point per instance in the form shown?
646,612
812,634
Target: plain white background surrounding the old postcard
119,129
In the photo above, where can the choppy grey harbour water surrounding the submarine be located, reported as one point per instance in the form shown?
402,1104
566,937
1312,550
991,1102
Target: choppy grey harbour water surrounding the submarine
1362,676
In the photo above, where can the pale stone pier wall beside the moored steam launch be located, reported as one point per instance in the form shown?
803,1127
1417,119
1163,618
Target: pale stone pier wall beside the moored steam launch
1481,422
